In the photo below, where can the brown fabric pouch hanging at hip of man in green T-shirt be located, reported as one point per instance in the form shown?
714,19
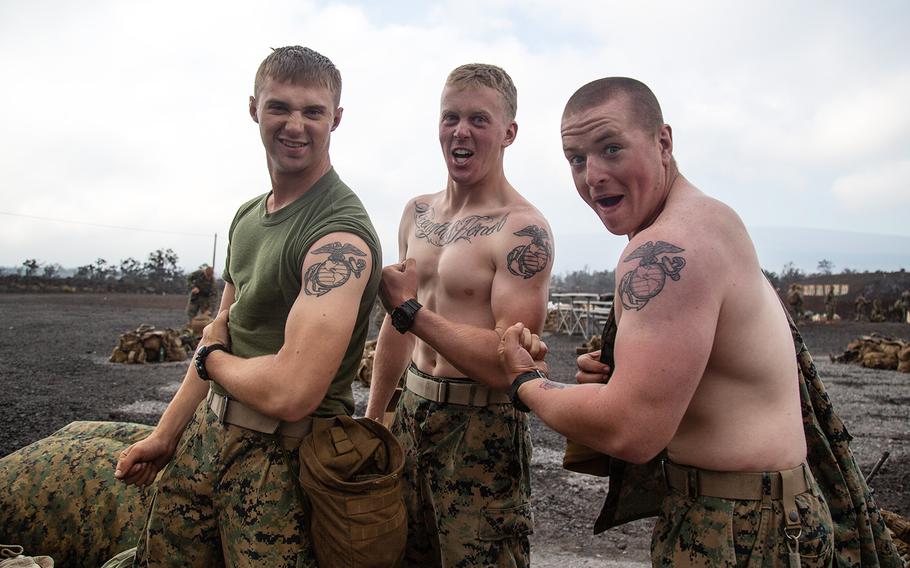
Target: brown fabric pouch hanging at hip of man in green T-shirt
350,469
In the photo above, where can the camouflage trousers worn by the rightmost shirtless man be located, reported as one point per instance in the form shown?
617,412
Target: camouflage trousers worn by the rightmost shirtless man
710,531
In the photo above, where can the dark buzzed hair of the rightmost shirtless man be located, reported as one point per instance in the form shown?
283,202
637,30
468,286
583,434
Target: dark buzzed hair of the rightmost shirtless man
642,100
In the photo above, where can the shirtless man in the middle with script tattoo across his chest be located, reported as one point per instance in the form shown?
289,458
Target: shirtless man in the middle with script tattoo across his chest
477,256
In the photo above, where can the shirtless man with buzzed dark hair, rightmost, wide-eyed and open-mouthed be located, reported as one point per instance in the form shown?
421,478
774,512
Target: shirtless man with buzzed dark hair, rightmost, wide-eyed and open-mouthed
704,360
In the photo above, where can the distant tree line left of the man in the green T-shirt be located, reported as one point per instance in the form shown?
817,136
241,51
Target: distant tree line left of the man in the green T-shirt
158,274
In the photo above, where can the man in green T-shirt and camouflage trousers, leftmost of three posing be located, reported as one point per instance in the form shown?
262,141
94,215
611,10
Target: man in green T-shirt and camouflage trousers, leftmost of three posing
300,279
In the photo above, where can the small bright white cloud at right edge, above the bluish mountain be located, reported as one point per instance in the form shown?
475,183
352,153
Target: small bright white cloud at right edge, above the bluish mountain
882,189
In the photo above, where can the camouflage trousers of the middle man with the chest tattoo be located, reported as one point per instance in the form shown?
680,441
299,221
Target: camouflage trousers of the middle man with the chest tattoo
466,483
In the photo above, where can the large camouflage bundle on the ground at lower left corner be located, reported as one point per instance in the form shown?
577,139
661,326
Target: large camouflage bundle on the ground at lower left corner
60,497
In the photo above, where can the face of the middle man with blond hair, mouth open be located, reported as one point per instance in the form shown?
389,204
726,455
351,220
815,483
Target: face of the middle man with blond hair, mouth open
473,132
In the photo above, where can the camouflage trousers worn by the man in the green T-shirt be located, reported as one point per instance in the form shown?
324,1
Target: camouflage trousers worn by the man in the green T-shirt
230,496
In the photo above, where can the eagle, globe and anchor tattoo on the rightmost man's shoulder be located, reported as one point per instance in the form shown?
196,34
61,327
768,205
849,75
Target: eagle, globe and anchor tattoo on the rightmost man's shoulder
648,278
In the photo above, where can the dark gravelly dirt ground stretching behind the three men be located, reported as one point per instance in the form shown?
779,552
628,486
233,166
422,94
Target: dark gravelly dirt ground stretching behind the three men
54,370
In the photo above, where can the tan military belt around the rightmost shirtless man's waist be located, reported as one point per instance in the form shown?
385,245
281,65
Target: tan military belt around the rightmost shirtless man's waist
745,486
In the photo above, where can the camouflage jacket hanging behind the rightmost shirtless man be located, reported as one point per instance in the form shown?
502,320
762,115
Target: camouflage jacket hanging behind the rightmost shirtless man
860,535
